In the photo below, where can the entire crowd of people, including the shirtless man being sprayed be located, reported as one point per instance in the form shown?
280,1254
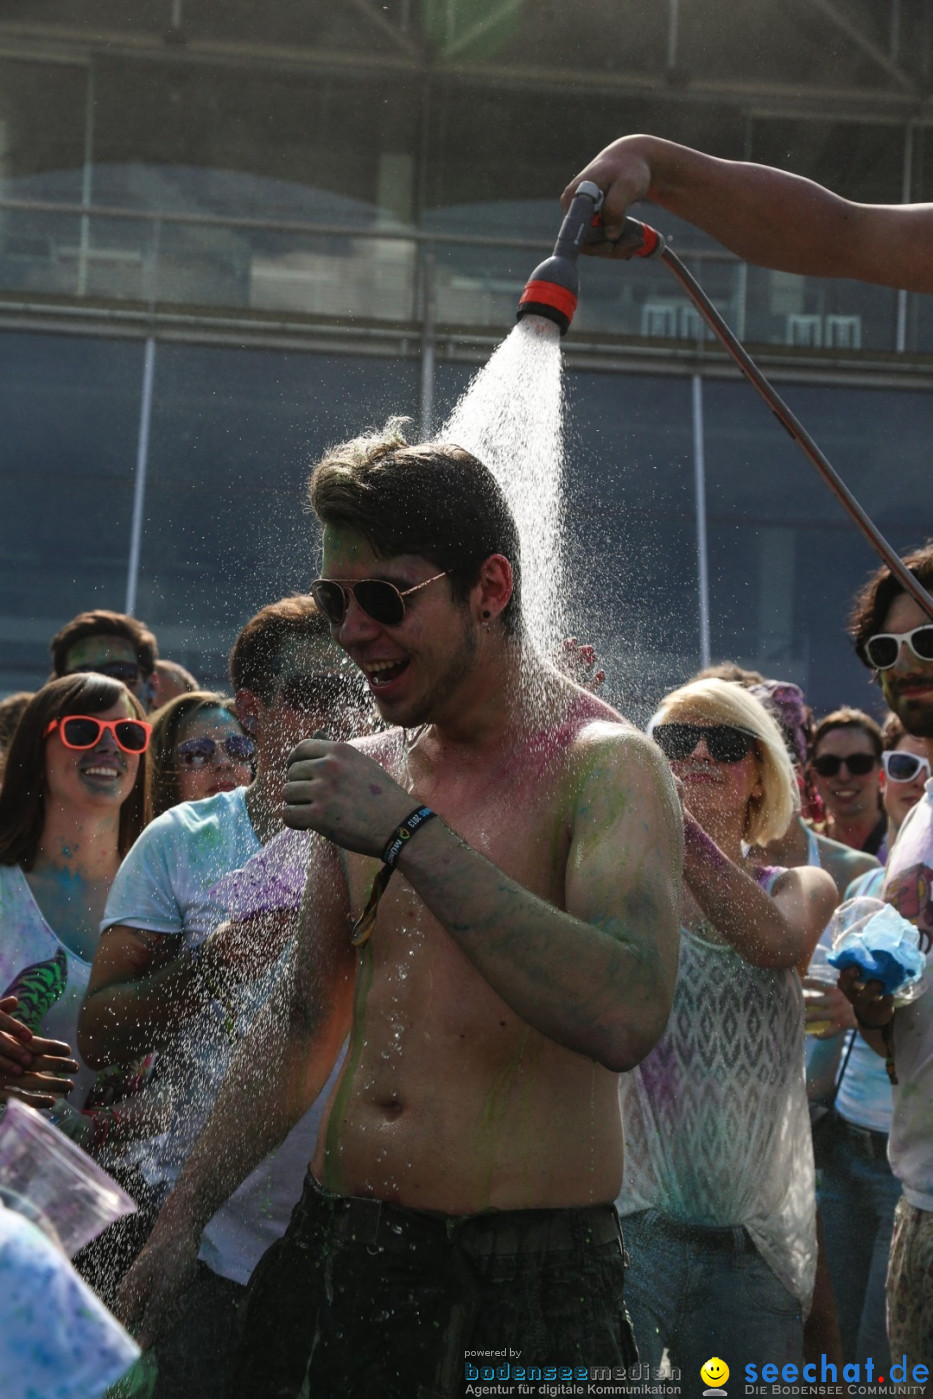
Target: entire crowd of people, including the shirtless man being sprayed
388,987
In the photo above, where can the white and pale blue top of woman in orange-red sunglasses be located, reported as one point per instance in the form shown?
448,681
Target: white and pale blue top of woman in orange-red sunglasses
48,977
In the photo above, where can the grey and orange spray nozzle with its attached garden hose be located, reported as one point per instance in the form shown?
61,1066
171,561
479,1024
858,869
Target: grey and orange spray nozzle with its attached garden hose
553,292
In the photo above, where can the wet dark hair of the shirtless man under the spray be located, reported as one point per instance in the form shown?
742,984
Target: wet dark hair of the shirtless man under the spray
434,500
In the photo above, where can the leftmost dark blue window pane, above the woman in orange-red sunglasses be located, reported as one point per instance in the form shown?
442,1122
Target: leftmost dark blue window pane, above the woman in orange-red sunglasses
71,411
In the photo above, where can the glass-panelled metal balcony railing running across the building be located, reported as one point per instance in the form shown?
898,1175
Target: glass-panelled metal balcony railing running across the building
429,280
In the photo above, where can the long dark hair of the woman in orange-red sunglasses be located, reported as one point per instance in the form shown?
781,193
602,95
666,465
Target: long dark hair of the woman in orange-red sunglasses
23,793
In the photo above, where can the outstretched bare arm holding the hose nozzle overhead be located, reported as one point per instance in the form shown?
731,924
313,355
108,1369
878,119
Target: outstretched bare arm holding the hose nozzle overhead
766,216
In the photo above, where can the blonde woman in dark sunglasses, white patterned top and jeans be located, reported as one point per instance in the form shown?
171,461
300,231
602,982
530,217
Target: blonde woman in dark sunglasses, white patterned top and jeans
718,1198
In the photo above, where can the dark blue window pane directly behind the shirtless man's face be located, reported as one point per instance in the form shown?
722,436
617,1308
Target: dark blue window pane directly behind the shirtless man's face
227,525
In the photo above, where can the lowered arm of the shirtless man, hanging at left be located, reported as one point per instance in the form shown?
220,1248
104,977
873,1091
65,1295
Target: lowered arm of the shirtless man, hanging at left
278,1072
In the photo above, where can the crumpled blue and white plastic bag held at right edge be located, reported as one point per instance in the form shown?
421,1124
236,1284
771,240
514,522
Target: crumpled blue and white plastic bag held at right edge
874,937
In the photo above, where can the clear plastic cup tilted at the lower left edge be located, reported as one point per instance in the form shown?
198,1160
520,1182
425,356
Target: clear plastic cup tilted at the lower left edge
54,1181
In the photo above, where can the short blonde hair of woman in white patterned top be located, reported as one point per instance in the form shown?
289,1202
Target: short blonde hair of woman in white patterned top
721,702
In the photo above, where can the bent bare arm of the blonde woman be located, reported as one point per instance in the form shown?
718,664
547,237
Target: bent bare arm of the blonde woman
777,930
